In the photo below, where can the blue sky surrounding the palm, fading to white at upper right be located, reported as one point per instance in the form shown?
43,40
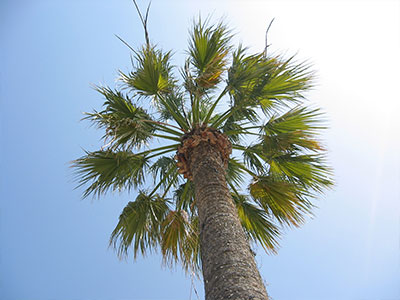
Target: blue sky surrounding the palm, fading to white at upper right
53,246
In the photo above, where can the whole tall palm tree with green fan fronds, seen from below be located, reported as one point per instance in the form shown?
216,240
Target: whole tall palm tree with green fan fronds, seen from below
231,151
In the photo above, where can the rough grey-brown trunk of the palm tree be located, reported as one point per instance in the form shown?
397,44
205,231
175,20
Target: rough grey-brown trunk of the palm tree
229,268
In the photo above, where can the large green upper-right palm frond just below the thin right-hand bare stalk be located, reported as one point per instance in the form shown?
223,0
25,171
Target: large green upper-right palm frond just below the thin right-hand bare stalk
266,82
